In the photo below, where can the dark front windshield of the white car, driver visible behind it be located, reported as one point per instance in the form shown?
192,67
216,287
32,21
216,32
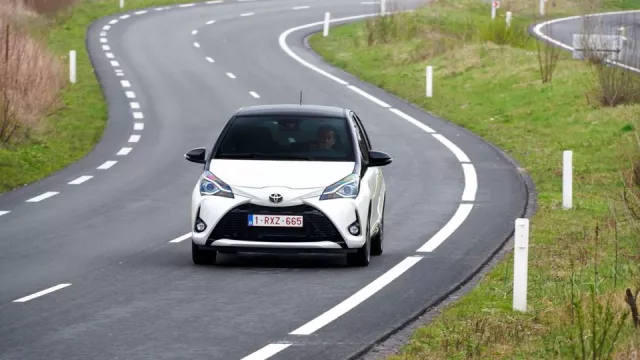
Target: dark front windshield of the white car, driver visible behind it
287,138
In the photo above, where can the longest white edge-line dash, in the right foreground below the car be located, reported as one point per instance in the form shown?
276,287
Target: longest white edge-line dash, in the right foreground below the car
357,298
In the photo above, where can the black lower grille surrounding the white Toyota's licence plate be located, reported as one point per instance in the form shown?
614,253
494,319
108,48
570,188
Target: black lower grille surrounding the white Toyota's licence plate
316,226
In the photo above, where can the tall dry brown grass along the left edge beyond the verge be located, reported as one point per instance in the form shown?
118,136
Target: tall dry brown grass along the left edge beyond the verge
30,76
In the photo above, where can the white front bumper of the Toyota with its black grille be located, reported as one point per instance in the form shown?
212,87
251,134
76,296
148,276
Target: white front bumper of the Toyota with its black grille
325,225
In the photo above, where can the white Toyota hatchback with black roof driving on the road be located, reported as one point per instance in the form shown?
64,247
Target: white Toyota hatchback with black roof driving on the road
289,178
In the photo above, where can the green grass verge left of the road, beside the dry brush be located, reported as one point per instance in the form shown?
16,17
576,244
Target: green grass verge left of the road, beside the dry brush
71,131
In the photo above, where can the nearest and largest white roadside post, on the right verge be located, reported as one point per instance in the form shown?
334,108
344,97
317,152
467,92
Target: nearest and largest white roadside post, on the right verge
520,259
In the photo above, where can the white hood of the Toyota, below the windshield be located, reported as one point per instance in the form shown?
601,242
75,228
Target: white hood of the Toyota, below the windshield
289,174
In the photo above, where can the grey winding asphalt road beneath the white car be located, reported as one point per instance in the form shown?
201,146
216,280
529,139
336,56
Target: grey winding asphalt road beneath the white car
130,292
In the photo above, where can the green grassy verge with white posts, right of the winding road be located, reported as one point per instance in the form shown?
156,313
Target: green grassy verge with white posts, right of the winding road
496,92
